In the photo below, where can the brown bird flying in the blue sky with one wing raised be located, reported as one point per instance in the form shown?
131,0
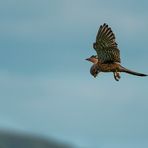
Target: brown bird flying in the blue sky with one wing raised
108,55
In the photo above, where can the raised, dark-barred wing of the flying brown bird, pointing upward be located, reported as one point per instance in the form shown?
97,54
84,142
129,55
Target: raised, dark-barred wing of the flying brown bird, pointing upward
105,45
